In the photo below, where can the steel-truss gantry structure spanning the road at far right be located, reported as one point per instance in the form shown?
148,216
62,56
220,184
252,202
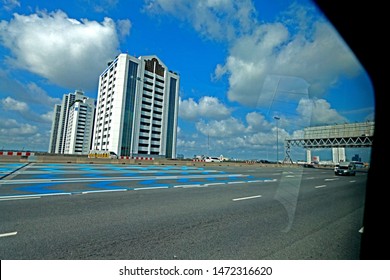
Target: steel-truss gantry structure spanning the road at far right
338,137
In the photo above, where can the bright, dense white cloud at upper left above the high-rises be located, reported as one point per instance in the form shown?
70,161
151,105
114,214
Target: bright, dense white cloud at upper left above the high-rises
66,51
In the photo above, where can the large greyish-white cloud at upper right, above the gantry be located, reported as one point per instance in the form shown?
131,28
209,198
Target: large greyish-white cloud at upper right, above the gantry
271,51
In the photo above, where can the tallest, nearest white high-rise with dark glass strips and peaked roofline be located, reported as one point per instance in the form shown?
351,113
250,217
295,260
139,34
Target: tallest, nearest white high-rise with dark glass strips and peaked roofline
137,108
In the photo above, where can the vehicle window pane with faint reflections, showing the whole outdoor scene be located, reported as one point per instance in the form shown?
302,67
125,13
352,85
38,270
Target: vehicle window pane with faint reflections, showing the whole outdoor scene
180,130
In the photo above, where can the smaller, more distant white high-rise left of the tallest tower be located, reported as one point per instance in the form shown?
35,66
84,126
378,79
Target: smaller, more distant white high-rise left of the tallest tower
64,115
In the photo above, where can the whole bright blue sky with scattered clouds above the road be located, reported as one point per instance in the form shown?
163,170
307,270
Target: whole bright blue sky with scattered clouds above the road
241,64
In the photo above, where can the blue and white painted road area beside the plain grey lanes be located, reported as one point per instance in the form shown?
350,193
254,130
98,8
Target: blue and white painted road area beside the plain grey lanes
102,172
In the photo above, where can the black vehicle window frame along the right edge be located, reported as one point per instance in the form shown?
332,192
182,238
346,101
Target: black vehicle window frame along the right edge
359,24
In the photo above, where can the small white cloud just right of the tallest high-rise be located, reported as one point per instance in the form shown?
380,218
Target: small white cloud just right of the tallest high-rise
208,107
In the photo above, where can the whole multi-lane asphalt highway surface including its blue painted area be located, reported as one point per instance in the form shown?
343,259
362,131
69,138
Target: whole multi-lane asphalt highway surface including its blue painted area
157,212
